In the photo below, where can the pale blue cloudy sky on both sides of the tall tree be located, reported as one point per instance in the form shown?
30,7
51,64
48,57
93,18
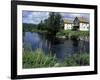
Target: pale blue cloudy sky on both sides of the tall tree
35,17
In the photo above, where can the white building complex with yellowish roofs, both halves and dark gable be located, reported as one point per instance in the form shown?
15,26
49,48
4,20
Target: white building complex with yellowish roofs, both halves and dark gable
79,23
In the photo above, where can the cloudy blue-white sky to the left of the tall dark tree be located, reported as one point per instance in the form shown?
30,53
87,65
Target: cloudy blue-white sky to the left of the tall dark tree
34,17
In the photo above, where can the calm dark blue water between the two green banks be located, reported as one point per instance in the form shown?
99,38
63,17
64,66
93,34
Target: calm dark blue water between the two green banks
32,41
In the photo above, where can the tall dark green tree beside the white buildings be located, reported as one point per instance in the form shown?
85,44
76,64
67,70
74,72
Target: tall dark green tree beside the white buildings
55,22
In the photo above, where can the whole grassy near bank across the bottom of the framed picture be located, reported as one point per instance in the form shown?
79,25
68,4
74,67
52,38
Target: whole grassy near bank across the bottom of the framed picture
38,59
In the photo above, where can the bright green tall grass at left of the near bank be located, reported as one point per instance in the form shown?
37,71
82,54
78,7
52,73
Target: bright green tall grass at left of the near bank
38,59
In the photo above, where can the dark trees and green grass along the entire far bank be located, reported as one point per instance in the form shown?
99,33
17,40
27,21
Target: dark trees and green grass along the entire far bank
54,26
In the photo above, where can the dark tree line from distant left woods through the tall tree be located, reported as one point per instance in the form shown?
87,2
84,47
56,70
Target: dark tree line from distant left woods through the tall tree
53,24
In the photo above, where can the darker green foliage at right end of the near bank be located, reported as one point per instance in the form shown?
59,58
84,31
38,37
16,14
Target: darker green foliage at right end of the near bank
80,59
